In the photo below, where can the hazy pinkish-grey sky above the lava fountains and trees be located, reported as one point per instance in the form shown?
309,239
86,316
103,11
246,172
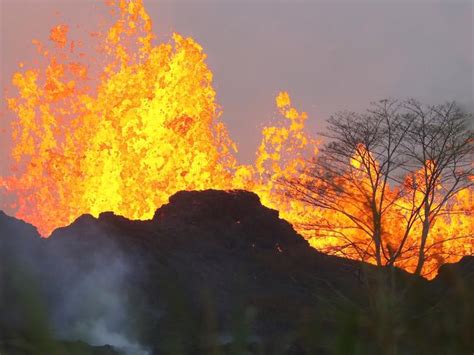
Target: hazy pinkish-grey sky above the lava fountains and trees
330,55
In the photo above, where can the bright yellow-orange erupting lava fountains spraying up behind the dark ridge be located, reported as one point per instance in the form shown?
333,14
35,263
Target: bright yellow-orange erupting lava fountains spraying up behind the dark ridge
123,130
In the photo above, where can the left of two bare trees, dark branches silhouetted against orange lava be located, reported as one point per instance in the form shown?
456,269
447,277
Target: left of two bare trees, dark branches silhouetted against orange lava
352,173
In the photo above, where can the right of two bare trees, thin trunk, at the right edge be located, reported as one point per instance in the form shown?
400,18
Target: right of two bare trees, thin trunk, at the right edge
439,145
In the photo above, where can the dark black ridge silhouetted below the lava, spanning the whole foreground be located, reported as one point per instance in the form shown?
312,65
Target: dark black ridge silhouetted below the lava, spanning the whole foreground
216,273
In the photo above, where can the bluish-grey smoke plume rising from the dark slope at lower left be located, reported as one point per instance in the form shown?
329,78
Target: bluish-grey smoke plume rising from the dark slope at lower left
95,307
